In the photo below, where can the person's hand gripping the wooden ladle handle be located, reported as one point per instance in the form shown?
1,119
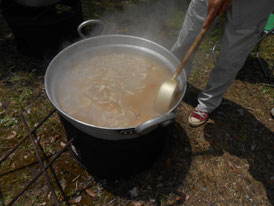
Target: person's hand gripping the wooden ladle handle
216,8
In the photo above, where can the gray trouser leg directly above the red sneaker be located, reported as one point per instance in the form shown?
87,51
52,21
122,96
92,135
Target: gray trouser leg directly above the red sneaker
236,45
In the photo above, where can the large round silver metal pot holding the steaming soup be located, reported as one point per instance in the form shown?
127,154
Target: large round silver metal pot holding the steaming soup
93,45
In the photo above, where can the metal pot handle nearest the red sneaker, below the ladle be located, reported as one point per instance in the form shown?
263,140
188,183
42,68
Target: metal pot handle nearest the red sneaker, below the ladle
149,125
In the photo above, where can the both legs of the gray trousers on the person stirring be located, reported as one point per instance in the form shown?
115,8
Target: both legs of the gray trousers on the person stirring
236,45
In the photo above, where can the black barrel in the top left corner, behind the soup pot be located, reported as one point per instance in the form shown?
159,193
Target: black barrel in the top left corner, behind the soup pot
41,31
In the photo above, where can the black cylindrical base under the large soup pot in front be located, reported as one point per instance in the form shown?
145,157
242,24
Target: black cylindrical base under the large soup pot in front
115,159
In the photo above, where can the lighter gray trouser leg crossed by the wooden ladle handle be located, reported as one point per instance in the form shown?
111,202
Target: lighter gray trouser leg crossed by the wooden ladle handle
192,25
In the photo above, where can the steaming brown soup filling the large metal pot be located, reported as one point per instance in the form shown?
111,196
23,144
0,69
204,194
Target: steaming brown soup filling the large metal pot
113,90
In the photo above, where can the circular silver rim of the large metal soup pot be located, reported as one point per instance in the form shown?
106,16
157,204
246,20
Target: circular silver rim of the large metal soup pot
63,113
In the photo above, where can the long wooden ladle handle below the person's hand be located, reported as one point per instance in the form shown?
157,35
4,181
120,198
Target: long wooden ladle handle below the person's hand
191,50
